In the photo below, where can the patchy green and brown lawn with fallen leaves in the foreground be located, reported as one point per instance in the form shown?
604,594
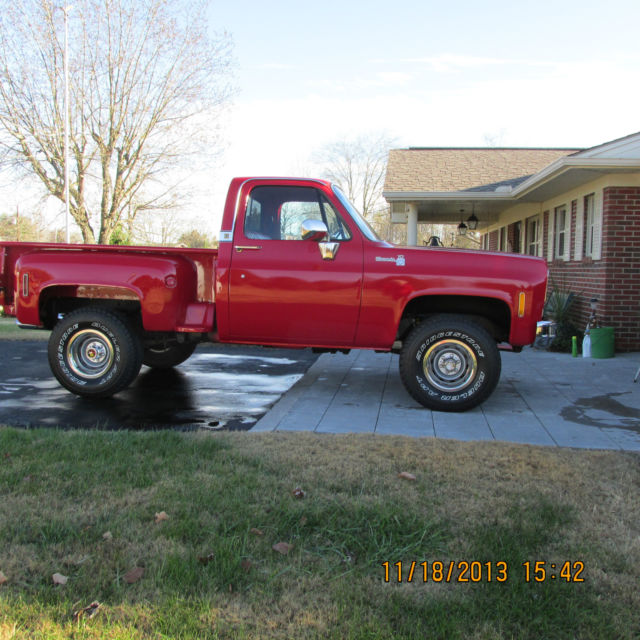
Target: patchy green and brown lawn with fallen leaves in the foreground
210,570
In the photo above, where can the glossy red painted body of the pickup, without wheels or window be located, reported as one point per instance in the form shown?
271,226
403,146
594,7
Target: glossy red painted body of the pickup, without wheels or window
276,292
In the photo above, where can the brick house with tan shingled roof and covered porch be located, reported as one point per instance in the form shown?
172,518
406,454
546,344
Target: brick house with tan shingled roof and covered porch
577,208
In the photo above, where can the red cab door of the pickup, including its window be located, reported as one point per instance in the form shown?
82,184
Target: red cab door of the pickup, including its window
287,290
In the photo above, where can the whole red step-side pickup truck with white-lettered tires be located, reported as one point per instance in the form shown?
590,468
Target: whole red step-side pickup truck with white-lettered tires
297,266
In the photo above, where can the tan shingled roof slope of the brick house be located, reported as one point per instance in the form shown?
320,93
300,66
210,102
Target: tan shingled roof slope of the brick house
454,169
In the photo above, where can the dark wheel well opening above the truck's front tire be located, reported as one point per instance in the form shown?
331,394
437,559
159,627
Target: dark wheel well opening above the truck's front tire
492,314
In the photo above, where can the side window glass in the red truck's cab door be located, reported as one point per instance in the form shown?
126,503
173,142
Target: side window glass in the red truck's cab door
277,213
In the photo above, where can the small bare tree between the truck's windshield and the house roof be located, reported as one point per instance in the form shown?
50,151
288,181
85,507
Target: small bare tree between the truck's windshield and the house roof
358,166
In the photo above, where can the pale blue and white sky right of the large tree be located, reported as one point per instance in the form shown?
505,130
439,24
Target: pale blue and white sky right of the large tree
560,74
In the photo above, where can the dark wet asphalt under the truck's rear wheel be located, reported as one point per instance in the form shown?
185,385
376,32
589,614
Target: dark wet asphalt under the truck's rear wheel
219,387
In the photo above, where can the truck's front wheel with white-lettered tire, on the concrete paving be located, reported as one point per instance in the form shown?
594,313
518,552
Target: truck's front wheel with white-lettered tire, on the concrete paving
450,363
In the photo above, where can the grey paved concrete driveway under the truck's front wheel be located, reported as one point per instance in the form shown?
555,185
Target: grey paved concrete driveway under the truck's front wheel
542,398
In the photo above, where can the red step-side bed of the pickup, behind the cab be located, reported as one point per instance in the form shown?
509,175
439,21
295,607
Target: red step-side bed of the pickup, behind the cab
175,287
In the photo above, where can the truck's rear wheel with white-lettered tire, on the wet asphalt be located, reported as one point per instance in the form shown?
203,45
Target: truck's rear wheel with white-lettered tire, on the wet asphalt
94,353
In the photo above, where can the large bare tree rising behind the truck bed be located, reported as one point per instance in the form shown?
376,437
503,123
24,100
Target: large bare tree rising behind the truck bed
147,82
